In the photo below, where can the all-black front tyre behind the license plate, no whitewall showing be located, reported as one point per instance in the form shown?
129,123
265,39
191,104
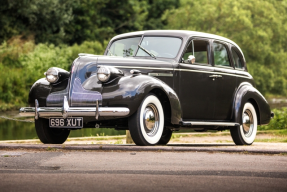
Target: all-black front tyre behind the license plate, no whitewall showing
49,135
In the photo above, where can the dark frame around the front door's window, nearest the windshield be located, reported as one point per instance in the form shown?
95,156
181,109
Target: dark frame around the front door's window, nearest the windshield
190,40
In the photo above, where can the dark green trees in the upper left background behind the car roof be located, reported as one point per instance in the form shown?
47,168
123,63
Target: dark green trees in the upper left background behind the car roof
76,21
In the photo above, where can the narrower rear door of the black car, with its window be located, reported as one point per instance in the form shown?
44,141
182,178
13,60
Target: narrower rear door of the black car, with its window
225,80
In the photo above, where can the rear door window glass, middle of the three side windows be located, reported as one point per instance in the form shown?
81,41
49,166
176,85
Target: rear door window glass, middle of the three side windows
220,55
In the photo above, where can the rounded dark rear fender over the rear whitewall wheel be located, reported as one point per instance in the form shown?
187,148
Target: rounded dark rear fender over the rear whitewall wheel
247,93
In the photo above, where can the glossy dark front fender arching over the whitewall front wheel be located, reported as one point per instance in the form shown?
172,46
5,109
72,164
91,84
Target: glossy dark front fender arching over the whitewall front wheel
129,91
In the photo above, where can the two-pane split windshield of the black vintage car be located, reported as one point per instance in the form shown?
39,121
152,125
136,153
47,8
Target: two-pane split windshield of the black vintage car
167,47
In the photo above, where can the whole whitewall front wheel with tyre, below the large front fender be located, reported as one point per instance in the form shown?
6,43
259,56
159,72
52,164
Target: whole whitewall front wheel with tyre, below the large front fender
146,125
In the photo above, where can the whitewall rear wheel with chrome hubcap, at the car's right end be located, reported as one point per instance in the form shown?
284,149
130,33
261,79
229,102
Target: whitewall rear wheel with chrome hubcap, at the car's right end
245,134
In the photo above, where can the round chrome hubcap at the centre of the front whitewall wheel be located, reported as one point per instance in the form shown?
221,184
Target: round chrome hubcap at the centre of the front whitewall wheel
151,119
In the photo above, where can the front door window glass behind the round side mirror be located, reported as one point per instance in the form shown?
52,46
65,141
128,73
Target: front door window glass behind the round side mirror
201,51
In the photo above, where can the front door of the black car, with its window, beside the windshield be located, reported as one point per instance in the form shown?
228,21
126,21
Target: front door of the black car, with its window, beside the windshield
196,88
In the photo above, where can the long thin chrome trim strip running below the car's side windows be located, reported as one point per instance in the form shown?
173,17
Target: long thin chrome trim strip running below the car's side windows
188,70
